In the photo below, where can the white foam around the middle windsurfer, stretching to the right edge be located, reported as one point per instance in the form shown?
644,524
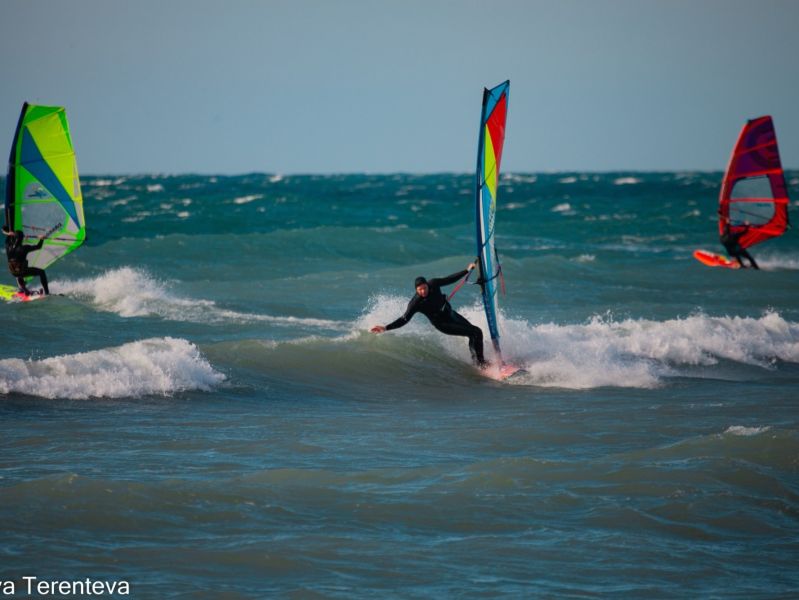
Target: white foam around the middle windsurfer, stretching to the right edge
637,353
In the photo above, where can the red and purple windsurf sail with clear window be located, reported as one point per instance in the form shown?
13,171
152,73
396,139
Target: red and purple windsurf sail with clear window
753,194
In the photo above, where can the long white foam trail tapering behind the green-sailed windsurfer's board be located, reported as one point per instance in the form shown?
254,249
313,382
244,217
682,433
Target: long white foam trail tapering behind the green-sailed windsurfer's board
131,292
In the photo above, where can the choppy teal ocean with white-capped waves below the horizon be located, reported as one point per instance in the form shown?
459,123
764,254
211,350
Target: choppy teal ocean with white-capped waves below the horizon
202,413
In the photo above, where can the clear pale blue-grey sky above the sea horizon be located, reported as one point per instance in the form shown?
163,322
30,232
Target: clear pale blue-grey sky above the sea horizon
378,86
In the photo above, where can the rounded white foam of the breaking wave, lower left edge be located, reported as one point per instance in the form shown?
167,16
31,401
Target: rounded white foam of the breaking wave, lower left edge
153,366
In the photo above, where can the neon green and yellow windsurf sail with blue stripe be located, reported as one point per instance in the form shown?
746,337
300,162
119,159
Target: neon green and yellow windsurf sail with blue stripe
43,195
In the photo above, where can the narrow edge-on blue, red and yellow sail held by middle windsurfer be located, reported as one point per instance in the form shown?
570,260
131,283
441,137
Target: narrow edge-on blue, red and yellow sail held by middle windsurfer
489,154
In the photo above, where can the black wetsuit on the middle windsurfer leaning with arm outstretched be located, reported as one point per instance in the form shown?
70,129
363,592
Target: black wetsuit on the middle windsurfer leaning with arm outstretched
437,309
